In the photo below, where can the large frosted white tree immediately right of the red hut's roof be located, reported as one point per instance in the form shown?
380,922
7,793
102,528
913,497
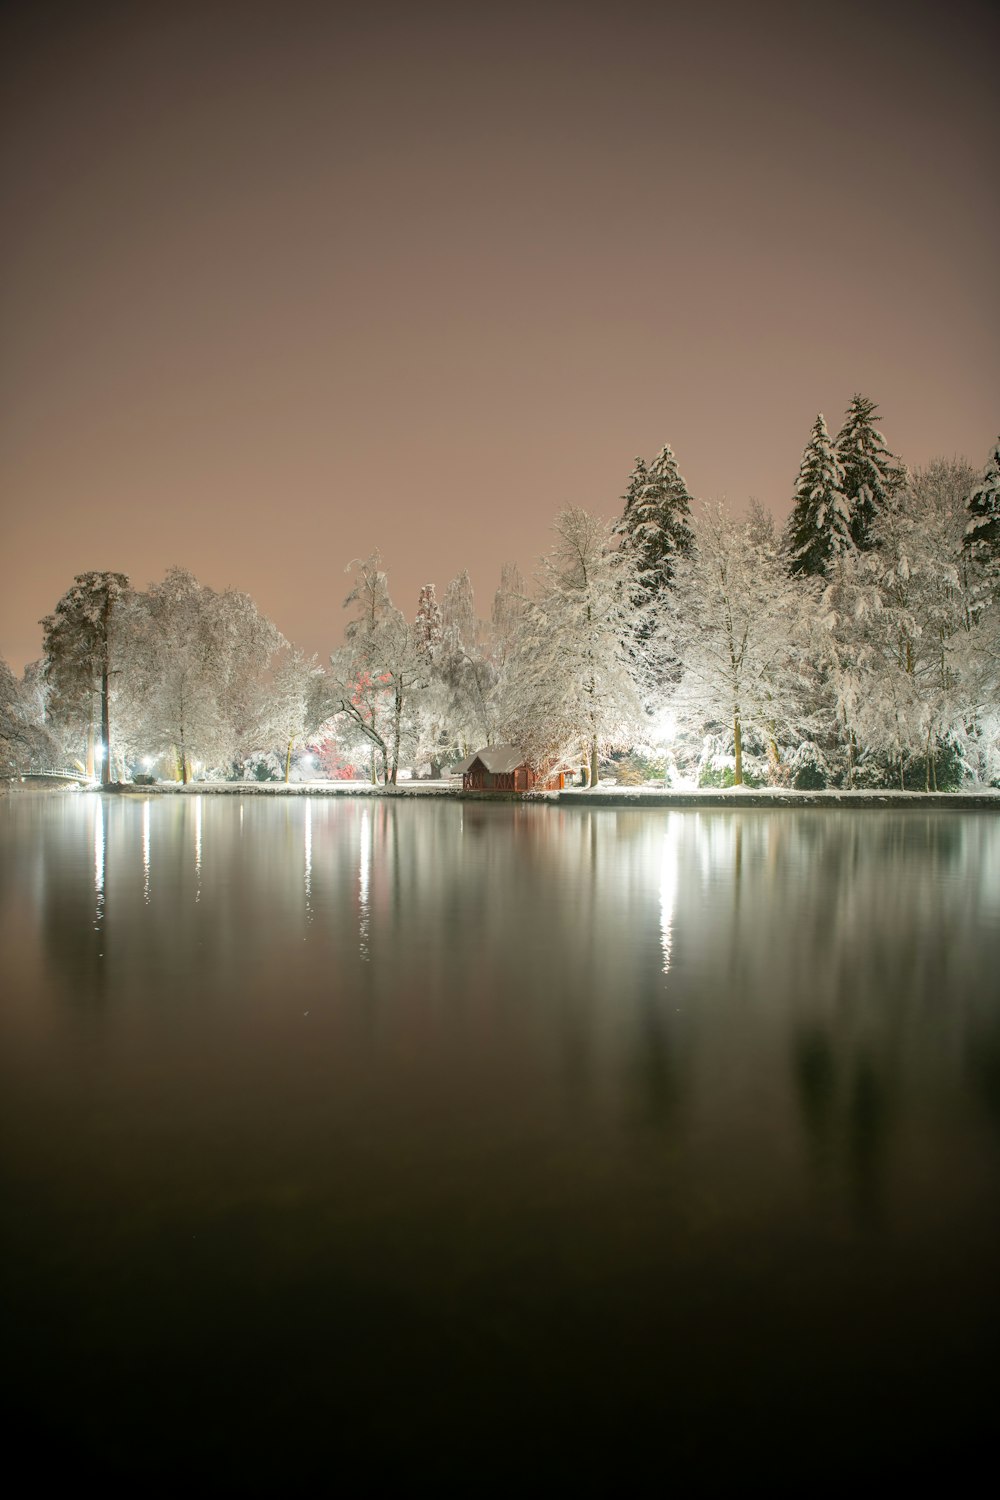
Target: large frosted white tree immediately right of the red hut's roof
570,694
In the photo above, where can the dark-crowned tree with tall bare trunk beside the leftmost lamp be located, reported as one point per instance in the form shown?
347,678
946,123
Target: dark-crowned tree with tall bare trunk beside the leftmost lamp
83,644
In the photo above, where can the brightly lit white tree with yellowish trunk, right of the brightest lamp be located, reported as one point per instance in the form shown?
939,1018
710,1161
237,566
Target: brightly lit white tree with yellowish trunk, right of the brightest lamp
740,626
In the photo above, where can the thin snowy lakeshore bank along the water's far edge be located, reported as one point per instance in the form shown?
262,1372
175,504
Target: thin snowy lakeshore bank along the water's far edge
621,797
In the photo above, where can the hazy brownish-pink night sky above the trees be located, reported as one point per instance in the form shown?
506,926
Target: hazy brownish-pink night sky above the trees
286,283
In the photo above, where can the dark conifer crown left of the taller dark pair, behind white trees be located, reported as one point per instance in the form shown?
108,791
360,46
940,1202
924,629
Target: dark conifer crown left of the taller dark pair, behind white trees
656,524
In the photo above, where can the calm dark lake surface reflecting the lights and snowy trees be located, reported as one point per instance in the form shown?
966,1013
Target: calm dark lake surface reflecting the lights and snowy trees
490,1144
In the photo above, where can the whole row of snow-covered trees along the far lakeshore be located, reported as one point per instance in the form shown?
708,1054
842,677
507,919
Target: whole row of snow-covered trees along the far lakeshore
857,647
